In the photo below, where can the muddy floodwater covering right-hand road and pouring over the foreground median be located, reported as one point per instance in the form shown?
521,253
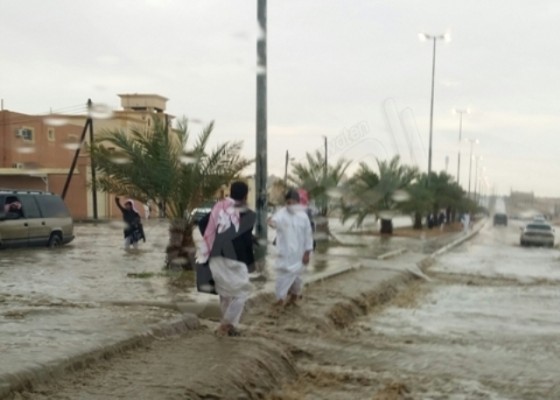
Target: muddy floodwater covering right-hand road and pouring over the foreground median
483,326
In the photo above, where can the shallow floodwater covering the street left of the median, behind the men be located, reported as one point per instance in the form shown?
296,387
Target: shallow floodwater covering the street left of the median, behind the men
55,303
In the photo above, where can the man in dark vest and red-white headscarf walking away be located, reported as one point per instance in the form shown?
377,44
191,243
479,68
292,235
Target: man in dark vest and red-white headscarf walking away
228,247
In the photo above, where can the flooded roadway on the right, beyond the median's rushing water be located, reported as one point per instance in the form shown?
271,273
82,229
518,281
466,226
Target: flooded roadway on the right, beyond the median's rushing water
485,327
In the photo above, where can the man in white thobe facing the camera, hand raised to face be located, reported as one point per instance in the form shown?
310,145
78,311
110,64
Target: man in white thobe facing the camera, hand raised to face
295,243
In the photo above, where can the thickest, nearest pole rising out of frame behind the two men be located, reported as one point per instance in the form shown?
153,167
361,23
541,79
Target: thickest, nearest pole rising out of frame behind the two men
261,177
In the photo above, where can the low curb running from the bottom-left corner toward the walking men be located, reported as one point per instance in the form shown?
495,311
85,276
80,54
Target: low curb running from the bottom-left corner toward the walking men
20,380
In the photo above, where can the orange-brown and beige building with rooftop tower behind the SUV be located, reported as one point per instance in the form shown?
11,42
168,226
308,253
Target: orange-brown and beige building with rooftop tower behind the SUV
37,150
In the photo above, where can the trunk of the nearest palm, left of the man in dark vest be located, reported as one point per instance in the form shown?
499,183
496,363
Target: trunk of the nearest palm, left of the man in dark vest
181,250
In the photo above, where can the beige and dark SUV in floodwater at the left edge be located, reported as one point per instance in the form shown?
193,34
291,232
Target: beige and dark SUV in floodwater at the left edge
34,218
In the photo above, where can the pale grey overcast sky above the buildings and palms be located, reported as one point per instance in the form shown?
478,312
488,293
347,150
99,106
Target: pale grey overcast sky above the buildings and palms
353,70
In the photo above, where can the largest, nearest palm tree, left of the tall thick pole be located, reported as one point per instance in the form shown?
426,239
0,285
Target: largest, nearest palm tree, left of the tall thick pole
162,165
